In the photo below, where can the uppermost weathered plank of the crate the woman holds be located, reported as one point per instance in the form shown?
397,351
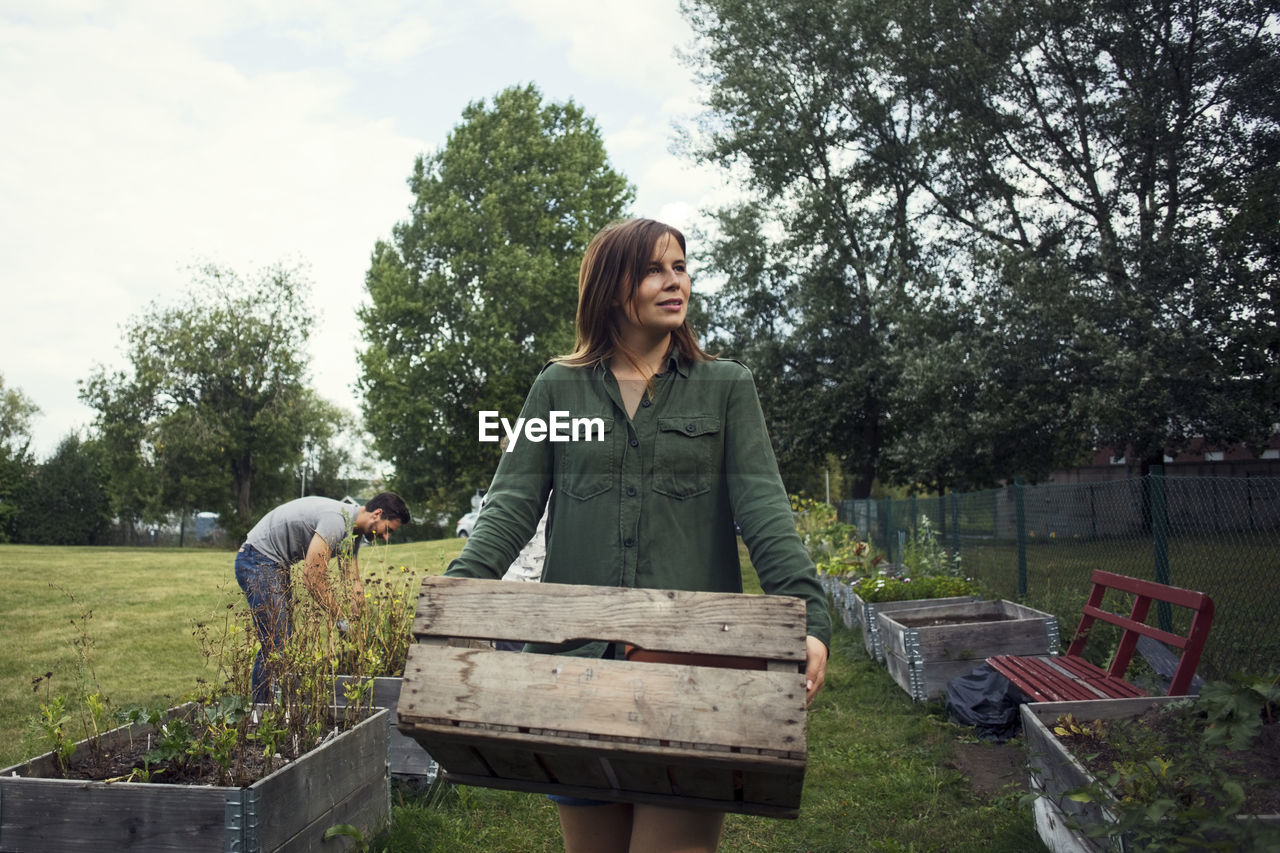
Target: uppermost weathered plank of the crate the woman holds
664,621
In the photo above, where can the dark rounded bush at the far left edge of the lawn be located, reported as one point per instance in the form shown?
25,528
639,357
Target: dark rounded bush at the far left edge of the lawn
66,501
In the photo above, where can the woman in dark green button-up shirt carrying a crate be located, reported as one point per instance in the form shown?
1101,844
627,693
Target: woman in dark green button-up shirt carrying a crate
652,499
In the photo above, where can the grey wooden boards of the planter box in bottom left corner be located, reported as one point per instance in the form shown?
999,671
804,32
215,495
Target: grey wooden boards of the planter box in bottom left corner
341,782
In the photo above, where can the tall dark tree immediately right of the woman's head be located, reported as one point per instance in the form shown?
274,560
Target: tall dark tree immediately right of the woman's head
826,261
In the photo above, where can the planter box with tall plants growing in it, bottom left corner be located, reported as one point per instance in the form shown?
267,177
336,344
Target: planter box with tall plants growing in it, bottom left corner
212,774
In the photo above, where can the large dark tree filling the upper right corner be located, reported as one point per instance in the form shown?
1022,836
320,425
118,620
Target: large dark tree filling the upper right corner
1124,140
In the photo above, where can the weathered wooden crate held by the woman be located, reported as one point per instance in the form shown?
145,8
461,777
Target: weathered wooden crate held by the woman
668,735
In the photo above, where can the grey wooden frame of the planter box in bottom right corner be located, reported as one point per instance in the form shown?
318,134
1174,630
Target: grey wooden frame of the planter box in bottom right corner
1054,770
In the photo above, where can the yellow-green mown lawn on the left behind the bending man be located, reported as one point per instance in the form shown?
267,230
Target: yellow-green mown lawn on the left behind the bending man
139,609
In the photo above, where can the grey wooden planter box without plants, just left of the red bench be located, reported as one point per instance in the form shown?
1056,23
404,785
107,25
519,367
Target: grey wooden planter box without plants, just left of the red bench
926,647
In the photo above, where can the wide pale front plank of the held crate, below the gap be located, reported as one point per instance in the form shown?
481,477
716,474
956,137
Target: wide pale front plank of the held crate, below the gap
656,703
